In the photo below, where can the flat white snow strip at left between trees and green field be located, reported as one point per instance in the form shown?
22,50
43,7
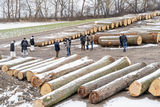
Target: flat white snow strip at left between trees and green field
12,25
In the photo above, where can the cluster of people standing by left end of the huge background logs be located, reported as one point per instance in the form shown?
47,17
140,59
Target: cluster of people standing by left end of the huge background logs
89,40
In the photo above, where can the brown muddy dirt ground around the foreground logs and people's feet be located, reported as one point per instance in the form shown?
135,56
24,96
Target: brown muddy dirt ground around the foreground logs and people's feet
146,54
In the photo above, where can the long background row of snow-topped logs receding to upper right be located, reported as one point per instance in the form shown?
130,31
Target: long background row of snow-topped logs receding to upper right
99,26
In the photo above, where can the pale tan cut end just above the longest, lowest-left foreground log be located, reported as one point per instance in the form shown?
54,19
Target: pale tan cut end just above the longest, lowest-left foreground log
45,89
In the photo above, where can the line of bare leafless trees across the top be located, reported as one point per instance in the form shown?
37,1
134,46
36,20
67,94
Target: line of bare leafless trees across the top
73,9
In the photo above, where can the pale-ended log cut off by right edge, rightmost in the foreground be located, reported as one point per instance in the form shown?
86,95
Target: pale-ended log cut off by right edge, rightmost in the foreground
154,88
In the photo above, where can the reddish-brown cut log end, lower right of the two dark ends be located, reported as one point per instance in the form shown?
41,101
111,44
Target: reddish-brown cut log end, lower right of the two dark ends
93,97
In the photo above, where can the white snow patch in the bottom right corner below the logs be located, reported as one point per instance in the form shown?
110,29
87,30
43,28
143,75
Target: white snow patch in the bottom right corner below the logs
126,102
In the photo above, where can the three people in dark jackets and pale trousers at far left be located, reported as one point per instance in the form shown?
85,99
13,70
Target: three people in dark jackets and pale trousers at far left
24,47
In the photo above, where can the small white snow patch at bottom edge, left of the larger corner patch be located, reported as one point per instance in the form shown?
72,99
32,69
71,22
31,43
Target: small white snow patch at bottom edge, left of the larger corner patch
72,103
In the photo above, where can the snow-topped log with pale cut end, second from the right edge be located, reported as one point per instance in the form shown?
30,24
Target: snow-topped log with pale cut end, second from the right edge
139,86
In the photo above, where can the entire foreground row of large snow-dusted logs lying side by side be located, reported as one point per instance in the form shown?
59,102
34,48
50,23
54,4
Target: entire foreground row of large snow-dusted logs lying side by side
60,78
